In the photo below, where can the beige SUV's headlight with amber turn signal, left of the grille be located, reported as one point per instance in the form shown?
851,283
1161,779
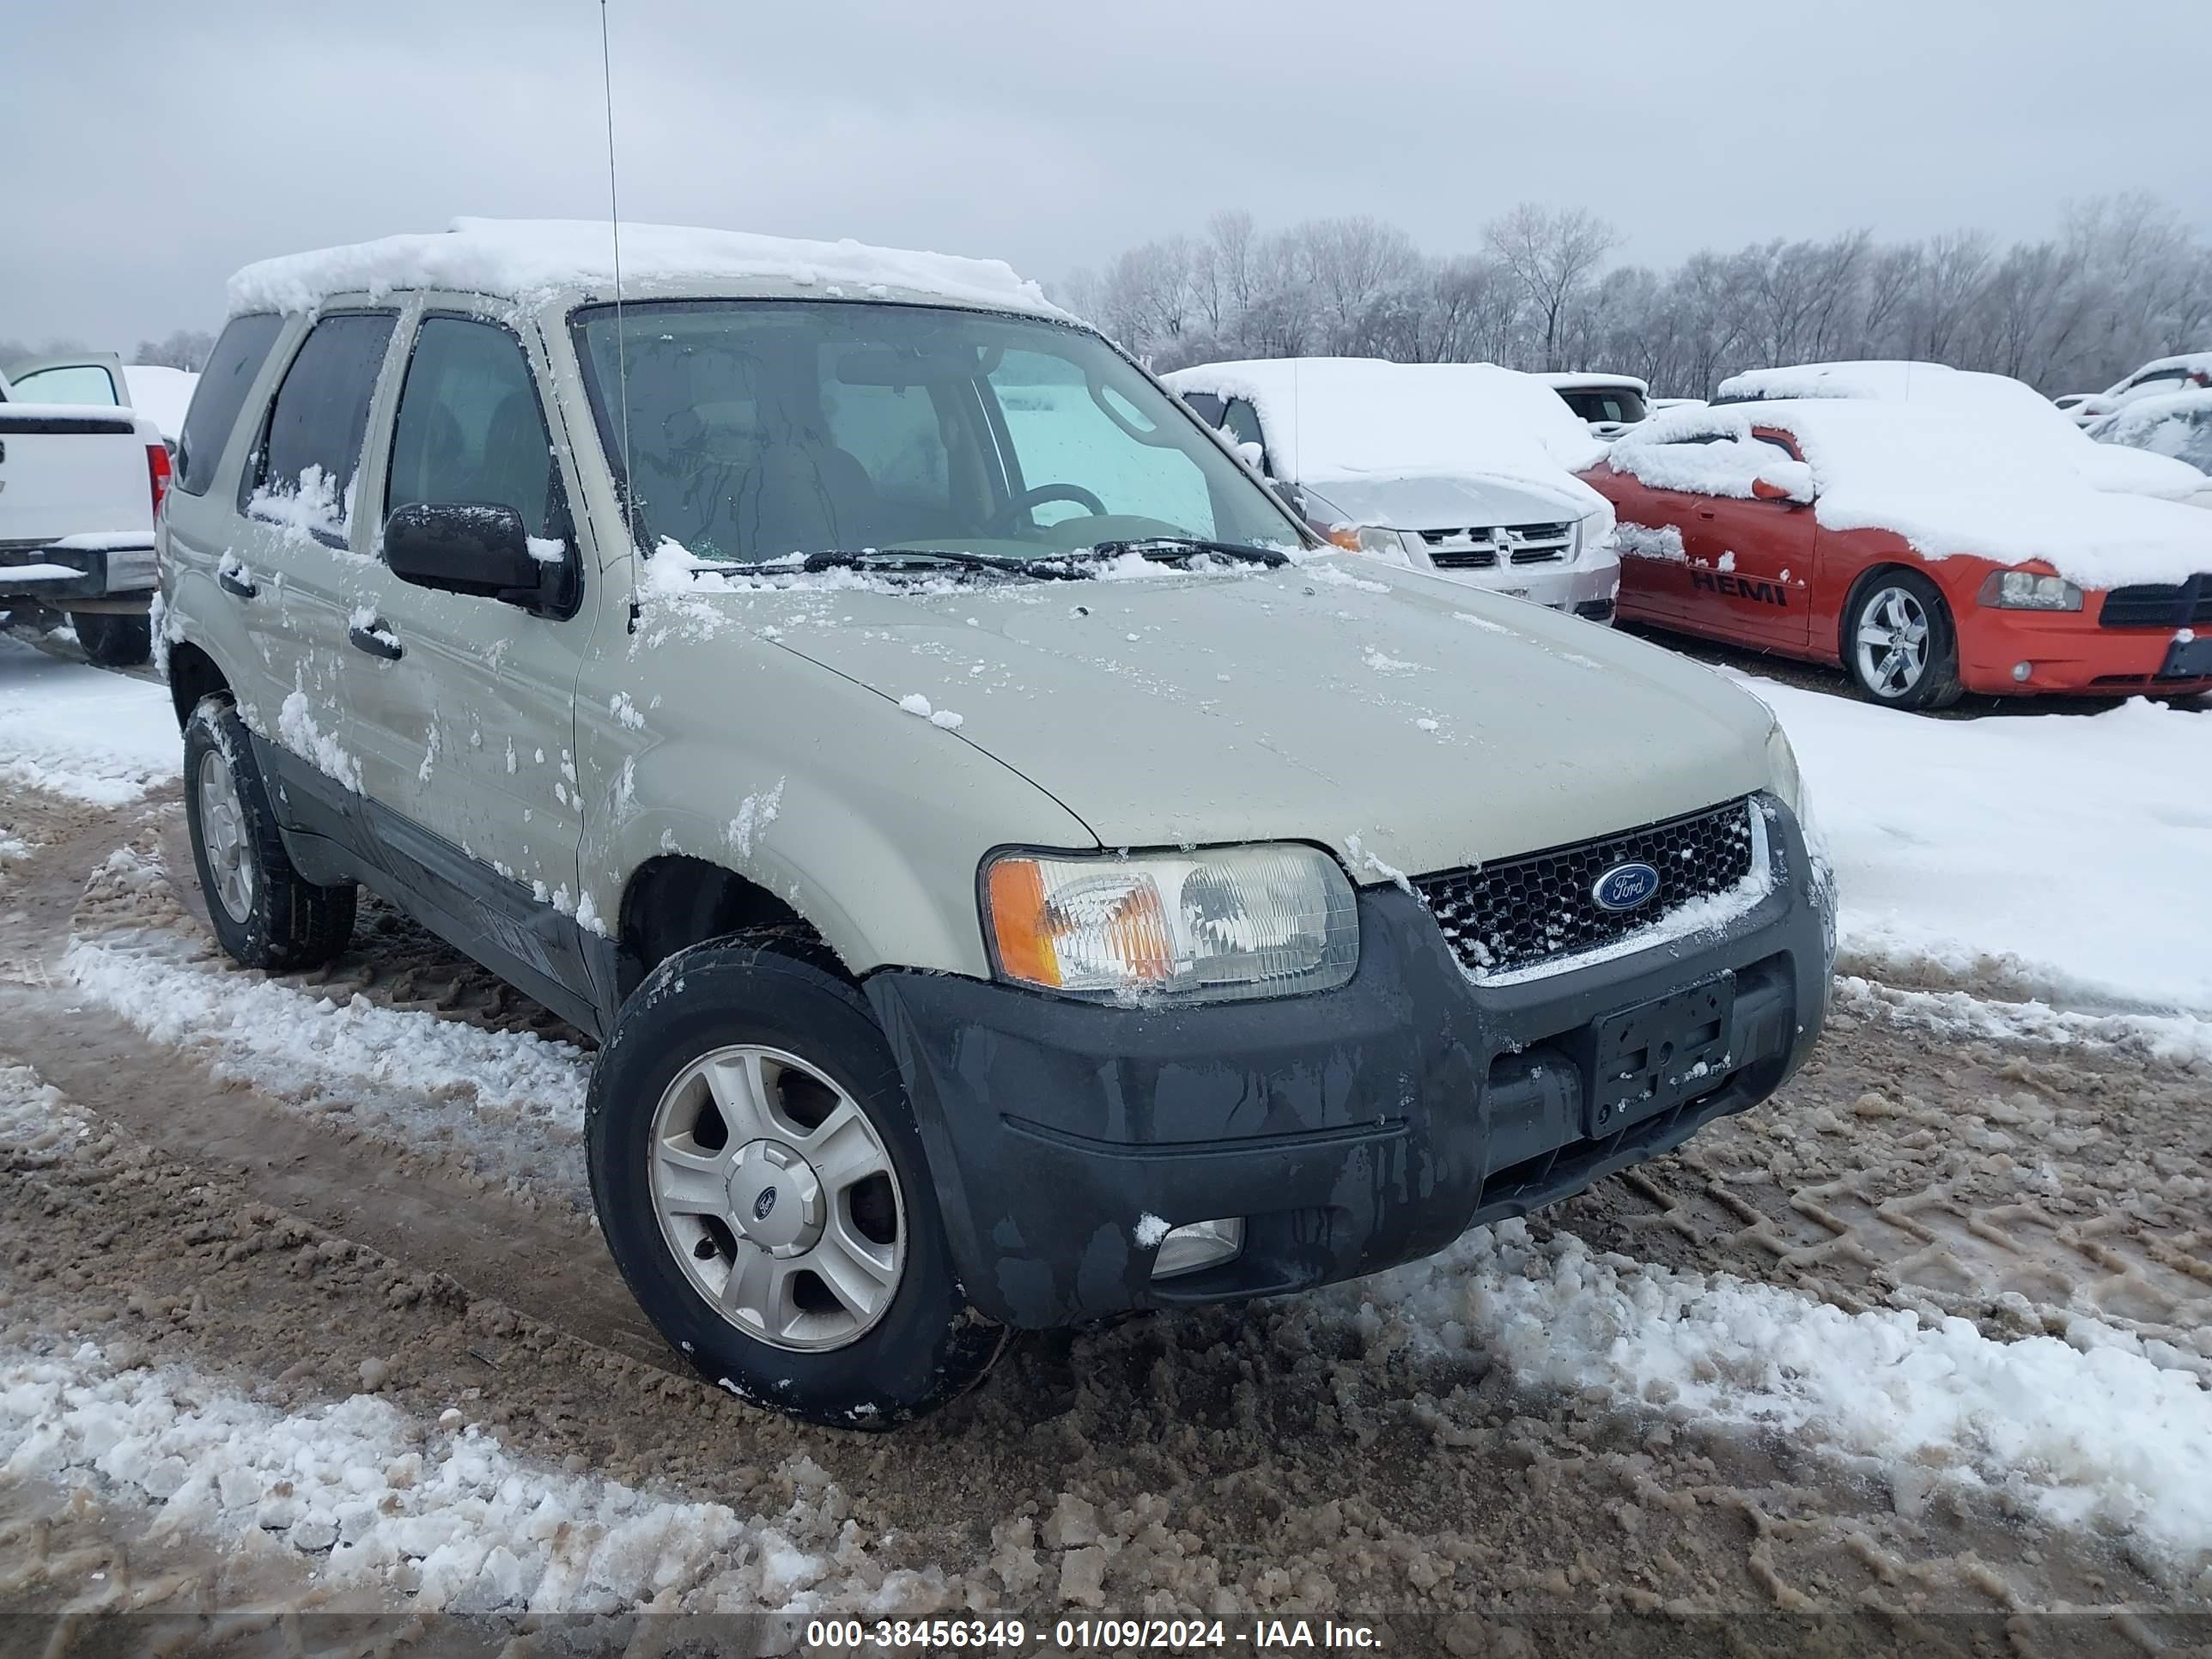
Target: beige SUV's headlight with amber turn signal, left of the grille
1213,926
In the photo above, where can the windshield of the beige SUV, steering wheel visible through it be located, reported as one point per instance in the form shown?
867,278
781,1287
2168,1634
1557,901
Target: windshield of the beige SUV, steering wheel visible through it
760,430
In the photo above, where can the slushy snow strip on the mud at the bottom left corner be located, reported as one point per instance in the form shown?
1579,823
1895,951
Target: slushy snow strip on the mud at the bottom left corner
444,1516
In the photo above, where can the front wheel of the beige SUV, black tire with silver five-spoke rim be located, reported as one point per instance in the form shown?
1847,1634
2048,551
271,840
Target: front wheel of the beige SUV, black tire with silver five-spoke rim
705,1209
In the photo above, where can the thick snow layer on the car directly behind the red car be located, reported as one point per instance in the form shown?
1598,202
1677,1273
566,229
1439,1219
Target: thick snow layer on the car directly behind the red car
2005,410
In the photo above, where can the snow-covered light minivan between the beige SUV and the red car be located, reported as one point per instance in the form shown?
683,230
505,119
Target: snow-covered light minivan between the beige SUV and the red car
1457,468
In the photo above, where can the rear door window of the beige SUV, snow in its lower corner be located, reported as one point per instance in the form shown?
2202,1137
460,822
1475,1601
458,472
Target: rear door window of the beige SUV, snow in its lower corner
313,444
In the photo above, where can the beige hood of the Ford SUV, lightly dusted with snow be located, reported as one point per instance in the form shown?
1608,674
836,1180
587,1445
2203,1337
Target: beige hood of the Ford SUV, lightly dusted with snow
1401,720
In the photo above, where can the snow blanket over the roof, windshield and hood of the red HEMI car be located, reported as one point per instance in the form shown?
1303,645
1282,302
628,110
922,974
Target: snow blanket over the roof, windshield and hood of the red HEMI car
1939,479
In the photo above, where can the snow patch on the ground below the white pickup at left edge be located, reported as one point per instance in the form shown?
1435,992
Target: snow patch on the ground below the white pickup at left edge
83,733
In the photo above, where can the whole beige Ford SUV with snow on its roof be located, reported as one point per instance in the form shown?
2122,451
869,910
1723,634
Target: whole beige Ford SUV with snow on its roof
1014,873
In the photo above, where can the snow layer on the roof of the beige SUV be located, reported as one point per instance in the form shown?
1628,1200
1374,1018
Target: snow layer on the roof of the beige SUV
539,260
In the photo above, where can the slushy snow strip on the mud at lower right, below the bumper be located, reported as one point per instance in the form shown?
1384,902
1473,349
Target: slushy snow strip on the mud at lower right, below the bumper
2089,1430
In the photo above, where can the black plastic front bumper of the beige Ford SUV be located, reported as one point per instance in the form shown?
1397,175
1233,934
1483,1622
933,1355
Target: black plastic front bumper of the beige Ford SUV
1353,1129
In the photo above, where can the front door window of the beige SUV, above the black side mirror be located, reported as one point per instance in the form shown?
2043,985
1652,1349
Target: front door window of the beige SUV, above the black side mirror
470,428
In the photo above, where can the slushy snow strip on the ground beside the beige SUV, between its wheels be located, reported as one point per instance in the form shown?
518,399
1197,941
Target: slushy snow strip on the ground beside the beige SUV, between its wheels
514,1100
